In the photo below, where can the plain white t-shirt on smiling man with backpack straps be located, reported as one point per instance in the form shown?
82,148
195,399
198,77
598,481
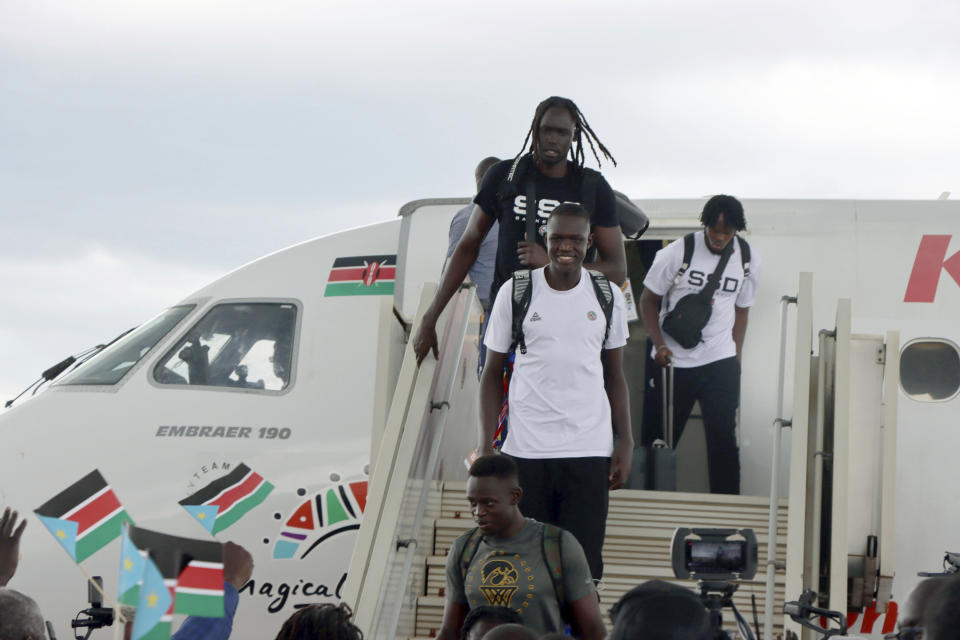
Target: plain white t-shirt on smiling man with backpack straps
558,405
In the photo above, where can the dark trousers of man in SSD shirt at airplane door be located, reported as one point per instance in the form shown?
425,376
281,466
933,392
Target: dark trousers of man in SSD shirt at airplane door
717,387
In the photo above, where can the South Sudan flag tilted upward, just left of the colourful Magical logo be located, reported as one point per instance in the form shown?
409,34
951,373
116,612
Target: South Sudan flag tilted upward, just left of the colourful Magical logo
225,500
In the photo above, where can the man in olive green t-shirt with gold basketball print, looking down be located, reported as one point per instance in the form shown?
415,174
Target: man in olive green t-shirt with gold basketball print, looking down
509,569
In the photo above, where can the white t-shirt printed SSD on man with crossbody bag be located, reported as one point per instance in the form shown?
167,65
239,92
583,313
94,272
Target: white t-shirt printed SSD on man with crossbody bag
734,290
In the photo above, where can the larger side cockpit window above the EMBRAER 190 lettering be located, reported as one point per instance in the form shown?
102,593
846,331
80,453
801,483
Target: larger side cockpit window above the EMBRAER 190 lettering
240,345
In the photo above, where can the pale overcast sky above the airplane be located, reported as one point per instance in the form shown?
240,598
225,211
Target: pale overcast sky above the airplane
148,147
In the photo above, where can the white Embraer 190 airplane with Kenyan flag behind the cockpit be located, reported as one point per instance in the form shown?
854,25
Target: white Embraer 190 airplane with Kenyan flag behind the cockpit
298,366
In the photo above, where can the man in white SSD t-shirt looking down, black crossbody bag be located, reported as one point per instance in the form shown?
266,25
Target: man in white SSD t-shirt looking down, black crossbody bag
710,371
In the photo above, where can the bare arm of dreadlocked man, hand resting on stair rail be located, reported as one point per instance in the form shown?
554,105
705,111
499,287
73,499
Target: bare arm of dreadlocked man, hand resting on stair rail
457,269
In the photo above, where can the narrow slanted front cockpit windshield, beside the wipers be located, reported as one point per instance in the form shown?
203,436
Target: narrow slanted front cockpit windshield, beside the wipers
111,365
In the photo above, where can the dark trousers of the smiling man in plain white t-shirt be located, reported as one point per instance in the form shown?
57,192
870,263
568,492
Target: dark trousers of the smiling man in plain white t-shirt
571,493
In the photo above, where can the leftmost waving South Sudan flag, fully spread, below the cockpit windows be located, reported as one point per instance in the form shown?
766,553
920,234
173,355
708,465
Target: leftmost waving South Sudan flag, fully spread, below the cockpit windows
84,517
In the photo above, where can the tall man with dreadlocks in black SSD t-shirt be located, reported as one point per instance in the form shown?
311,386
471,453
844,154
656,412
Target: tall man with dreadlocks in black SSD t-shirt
553,169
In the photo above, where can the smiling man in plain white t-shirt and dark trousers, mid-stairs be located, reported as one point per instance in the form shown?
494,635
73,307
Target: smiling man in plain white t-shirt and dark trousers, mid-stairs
569,415
